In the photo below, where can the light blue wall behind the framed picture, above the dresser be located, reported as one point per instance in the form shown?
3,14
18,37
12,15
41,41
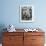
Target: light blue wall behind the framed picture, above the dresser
10,13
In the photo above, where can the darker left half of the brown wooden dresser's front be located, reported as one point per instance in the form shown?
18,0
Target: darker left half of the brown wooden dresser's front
12,39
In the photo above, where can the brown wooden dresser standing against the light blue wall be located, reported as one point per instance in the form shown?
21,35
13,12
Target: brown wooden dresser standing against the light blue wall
23,39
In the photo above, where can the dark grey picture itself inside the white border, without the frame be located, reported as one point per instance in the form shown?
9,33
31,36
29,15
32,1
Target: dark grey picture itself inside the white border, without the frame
26,14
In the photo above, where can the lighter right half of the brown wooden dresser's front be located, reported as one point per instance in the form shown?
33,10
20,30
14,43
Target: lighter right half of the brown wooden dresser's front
34,39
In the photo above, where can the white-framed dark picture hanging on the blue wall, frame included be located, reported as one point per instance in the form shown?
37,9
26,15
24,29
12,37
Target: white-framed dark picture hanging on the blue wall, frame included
26,13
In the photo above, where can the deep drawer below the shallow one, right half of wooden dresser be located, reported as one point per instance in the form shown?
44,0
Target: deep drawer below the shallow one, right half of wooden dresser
34,39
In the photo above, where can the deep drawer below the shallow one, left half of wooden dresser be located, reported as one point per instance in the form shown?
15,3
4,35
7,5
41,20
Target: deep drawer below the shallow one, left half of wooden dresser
11,39
